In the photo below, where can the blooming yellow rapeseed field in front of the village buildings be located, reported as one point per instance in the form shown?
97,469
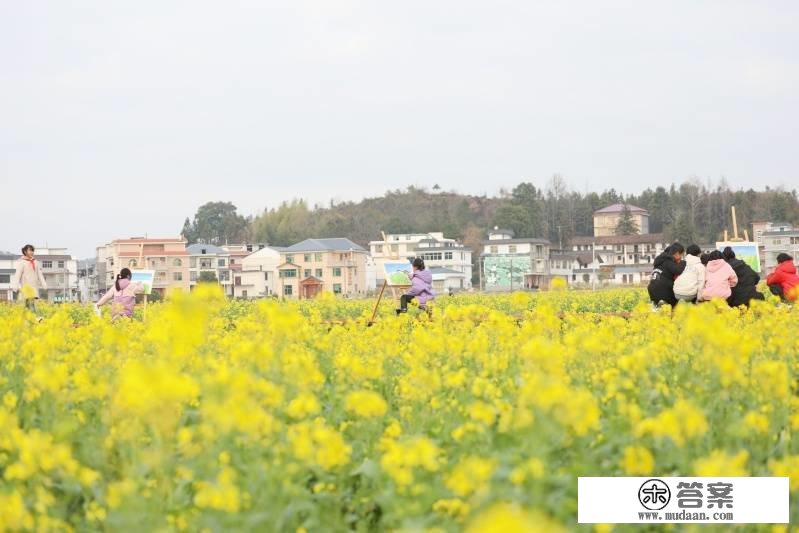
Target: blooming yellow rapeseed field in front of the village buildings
266,416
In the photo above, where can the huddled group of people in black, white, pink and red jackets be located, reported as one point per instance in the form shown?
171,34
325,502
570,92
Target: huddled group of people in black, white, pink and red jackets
681,275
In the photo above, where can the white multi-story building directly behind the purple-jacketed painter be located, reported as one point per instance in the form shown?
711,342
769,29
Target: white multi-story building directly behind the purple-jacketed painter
436,250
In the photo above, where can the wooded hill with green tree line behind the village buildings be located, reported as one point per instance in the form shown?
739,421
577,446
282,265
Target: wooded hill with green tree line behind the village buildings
689,212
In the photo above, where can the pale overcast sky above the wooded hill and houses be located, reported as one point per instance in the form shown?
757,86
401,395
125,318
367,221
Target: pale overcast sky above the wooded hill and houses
120,118
